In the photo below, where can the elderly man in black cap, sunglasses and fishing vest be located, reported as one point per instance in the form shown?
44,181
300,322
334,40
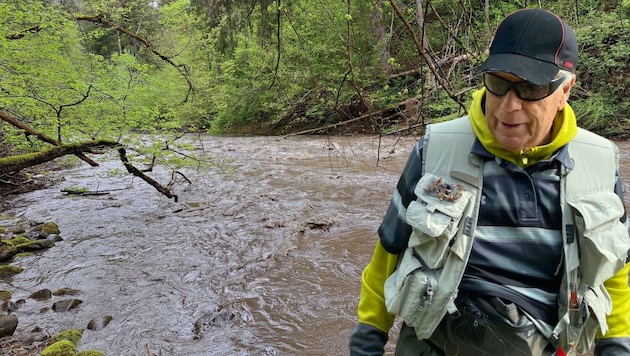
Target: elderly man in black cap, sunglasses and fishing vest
507,232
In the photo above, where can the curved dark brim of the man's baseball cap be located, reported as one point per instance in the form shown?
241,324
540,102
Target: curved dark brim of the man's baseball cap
529,69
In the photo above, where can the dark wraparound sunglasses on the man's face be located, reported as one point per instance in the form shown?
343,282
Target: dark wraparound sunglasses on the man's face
523,90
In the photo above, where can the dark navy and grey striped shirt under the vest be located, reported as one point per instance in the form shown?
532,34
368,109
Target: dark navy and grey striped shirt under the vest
517,247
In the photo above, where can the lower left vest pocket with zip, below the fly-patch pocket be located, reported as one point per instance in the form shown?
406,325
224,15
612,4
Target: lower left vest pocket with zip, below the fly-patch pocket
410,289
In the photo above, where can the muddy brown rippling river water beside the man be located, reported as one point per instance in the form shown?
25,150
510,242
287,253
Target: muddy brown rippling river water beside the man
277,240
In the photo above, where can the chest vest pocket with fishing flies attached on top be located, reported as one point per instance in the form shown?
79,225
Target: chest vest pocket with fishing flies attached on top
434,217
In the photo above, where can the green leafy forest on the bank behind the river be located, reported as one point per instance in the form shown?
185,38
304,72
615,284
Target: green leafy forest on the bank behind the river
86,75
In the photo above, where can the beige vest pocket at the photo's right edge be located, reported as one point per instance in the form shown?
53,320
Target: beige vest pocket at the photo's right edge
603,238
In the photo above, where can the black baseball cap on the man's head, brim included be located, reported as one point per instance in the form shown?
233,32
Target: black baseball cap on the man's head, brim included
534,45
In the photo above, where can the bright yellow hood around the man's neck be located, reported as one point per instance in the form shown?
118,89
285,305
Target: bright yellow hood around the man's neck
564,129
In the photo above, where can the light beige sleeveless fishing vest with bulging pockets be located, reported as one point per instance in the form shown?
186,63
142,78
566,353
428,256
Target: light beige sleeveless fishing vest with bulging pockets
423,288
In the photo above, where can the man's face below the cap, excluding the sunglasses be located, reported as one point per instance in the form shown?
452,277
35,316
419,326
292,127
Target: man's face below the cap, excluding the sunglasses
519,125
